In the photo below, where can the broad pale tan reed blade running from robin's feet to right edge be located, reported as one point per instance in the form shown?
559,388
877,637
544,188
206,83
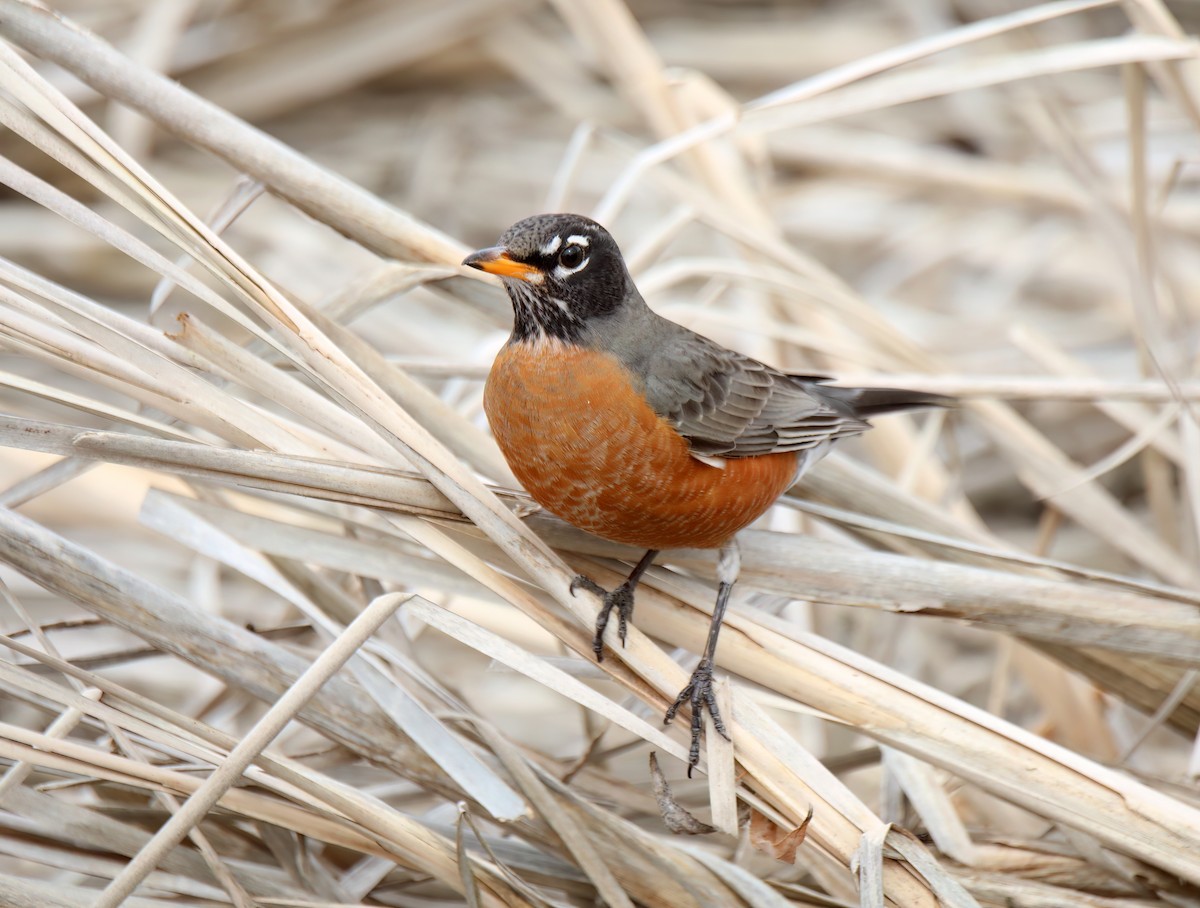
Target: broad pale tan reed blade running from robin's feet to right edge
1046,779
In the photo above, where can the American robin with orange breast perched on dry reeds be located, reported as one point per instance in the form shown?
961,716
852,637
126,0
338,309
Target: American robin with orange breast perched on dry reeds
637,429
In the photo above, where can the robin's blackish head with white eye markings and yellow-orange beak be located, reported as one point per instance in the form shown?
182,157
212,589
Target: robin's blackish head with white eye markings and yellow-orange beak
561,272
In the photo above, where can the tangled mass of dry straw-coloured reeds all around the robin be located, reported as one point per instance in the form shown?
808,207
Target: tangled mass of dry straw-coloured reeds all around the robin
988,202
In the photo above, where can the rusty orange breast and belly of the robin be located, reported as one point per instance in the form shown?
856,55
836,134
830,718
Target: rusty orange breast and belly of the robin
587,447
